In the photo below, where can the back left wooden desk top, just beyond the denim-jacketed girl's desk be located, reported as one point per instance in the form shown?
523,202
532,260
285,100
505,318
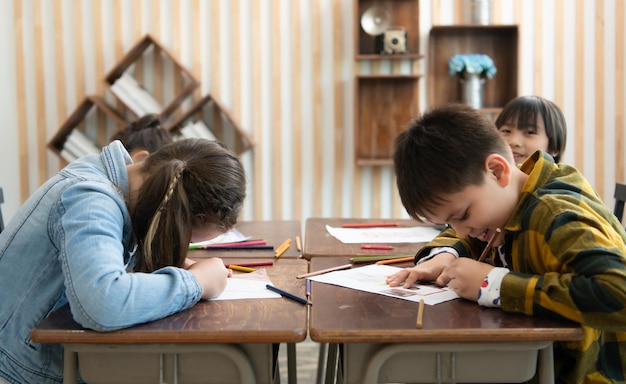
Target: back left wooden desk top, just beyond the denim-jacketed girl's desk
275,232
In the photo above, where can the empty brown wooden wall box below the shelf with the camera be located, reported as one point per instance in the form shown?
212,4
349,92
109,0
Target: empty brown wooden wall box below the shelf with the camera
384,105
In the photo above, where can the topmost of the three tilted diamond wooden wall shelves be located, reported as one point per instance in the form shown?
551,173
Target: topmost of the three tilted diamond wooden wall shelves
150,80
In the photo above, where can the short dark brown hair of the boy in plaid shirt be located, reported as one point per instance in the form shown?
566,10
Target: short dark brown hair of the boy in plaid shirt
442,152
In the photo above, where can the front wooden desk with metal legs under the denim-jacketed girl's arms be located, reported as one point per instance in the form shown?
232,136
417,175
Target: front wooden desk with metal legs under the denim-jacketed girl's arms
214,341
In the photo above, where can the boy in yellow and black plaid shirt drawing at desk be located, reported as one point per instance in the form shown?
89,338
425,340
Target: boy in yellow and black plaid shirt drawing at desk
563,251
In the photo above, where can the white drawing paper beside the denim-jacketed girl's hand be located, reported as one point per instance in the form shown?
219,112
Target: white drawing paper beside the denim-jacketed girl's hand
248,286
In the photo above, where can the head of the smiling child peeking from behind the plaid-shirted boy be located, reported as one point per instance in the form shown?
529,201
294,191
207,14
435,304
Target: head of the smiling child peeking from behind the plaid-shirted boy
529,123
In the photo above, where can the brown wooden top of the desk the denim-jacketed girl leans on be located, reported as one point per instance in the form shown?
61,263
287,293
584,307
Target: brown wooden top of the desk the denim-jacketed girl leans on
272,320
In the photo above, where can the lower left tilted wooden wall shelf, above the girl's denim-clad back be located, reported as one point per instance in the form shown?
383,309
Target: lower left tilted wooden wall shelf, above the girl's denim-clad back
93,120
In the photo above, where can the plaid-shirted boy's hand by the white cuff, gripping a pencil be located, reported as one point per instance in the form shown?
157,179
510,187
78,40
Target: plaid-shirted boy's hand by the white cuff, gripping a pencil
465,276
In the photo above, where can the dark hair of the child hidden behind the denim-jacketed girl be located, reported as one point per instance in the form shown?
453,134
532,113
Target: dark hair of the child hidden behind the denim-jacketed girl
144,133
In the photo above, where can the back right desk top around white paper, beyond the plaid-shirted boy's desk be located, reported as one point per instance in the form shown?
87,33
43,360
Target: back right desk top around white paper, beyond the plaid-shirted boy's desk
318,242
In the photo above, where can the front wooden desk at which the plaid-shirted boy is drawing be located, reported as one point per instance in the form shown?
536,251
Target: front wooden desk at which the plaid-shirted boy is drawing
459,342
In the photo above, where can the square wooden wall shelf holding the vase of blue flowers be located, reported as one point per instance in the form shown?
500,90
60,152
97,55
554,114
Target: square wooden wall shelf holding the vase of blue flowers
500,42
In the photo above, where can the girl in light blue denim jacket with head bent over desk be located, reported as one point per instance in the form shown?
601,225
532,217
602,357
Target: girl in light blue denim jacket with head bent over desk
74,240
